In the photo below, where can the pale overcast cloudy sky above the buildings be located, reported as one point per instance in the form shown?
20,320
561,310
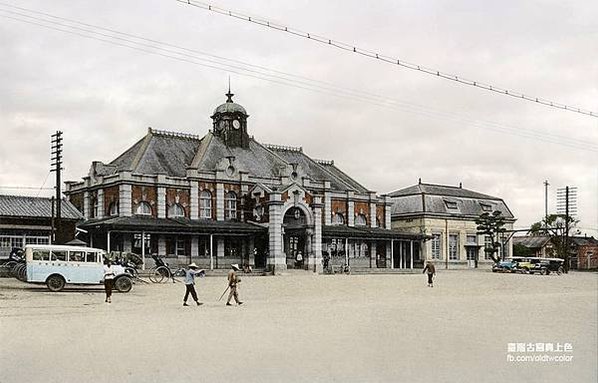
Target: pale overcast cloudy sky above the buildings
384,125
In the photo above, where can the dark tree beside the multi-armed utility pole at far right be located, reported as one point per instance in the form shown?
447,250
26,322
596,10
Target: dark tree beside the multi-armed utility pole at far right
557,227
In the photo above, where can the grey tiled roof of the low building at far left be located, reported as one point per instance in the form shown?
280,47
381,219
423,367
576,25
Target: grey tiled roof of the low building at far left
35,207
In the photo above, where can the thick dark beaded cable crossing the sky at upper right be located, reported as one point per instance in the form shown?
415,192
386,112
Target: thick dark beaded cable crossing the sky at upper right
384,58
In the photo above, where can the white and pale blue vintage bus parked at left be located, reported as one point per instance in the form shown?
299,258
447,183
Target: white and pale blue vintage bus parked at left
57,265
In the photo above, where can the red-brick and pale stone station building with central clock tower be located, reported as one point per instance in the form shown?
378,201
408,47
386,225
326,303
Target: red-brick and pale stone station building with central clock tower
226,198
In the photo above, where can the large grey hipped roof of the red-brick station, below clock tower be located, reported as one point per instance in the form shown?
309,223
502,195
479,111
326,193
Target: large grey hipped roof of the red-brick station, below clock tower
172,154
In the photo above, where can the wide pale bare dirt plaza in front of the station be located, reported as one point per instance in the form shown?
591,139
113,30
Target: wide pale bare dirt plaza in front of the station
305,328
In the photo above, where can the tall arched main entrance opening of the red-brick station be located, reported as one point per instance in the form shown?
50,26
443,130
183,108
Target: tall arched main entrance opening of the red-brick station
295,238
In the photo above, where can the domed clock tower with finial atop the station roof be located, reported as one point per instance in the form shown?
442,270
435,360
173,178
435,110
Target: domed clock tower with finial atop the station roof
230,123
